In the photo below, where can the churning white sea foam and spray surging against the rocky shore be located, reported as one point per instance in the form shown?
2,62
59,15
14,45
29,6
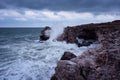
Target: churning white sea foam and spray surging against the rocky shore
37,60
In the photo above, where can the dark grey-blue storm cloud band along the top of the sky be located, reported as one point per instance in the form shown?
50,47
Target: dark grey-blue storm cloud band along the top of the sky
66,5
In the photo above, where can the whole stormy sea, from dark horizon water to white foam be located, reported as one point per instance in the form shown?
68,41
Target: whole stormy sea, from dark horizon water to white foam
24,57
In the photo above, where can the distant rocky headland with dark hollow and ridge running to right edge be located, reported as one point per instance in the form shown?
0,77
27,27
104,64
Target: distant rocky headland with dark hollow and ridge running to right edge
88,32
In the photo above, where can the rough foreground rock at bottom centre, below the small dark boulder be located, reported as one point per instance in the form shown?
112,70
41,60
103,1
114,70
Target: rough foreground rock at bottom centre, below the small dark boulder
67,71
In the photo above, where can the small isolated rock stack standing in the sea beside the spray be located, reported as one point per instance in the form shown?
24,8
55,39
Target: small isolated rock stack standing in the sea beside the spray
45,33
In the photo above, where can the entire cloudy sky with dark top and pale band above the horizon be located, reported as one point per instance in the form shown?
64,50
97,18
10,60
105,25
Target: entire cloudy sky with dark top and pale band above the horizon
39,13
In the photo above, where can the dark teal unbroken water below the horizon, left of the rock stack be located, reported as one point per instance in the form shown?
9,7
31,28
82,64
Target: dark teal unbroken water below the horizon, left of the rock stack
12,35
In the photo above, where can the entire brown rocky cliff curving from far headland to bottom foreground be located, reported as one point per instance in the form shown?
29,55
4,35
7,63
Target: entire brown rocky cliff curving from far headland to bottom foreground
100,63
